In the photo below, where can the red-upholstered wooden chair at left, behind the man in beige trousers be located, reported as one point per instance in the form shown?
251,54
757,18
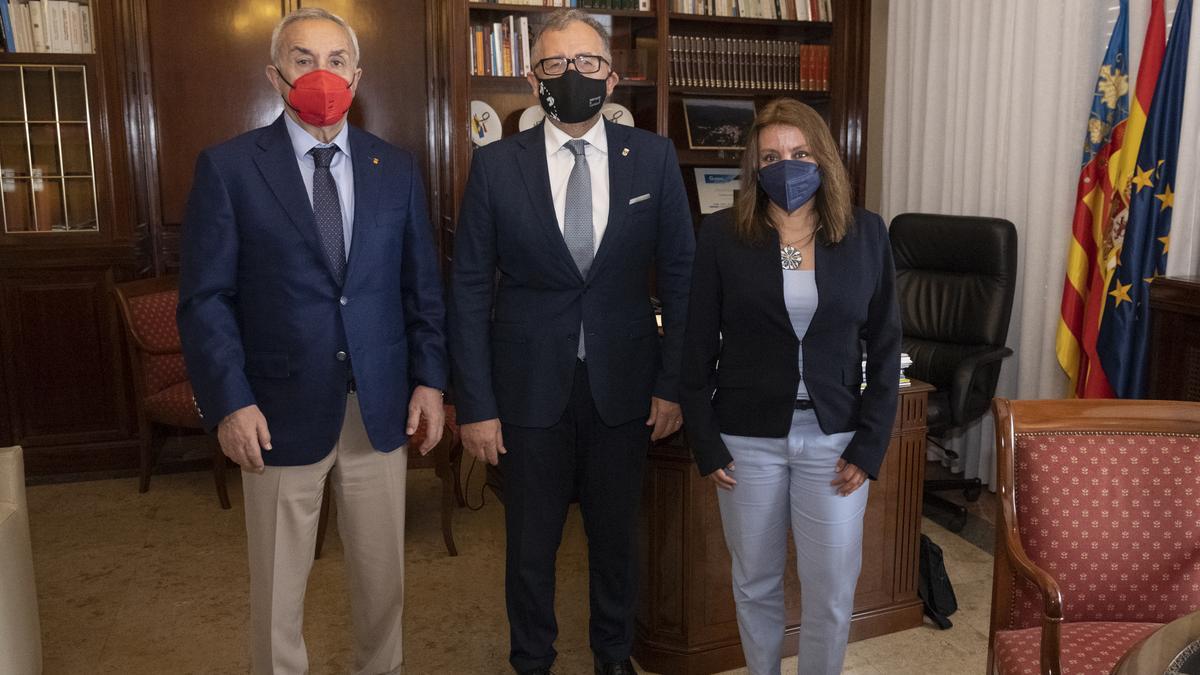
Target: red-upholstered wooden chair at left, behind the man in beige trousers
164,395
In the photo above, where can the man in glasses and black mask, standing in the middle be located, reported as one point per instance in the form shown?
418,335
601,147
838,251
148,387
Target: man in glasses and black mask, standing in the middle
560,373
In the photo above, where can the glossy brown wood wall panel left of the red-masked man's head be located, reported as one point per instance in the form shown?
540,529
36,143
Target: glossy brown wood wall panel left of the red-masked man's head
208,83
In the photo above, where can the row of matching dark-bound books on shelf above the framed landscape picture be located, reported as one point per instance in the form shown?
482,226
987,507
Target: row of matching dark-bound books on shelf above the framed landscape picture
749,64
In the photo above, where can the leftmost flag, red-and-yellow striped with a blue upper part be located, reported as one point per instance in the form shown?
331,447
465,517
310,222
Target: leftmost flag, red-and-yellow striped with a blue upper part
1094,199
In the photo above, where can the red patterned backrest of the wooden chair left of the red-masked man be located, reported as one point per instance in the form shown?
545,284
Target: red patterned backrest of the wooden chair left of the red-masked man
148,308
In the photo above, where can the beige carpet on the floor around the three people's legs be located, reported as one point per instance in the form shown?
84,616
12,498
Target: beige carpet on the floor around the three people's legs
157,584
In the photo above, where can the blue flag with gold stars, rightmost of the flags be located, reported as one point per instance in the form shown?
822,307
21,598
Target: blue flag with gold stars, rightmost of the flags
1143,241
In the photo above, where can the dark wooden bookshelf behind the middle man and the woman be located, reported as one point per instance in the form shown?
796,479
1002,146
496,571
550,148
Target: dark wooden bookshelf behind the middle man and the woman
657,98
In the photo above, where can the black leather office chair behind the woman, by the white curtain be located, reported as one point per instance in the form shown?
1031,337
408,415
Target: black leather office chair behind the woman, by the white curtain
956,278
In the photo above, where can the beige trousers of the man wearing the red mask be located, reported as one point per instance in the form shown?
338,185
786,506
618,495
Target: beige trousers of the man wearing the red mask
283,509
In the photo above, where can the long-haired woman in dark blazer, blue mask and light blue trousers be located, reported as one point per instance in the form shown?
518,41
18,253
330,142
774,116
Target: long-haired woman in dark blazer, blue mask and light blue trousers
790,289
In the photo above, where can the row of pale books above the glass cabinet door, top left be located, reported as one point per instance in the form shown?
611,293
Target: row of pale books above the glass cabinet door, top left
46,27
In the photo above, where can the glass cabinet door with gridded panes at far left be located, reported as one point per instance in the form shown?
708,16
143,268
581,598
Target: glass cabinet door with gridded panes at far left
47,176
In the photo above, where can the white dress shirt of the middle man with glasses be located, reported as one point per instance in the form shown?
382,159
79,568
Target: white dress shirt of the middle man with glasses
560,160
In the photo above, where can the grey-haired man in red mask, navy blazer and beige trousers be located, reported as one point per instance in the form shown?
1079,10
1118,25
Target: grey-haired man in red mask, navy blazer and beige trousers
313,320
